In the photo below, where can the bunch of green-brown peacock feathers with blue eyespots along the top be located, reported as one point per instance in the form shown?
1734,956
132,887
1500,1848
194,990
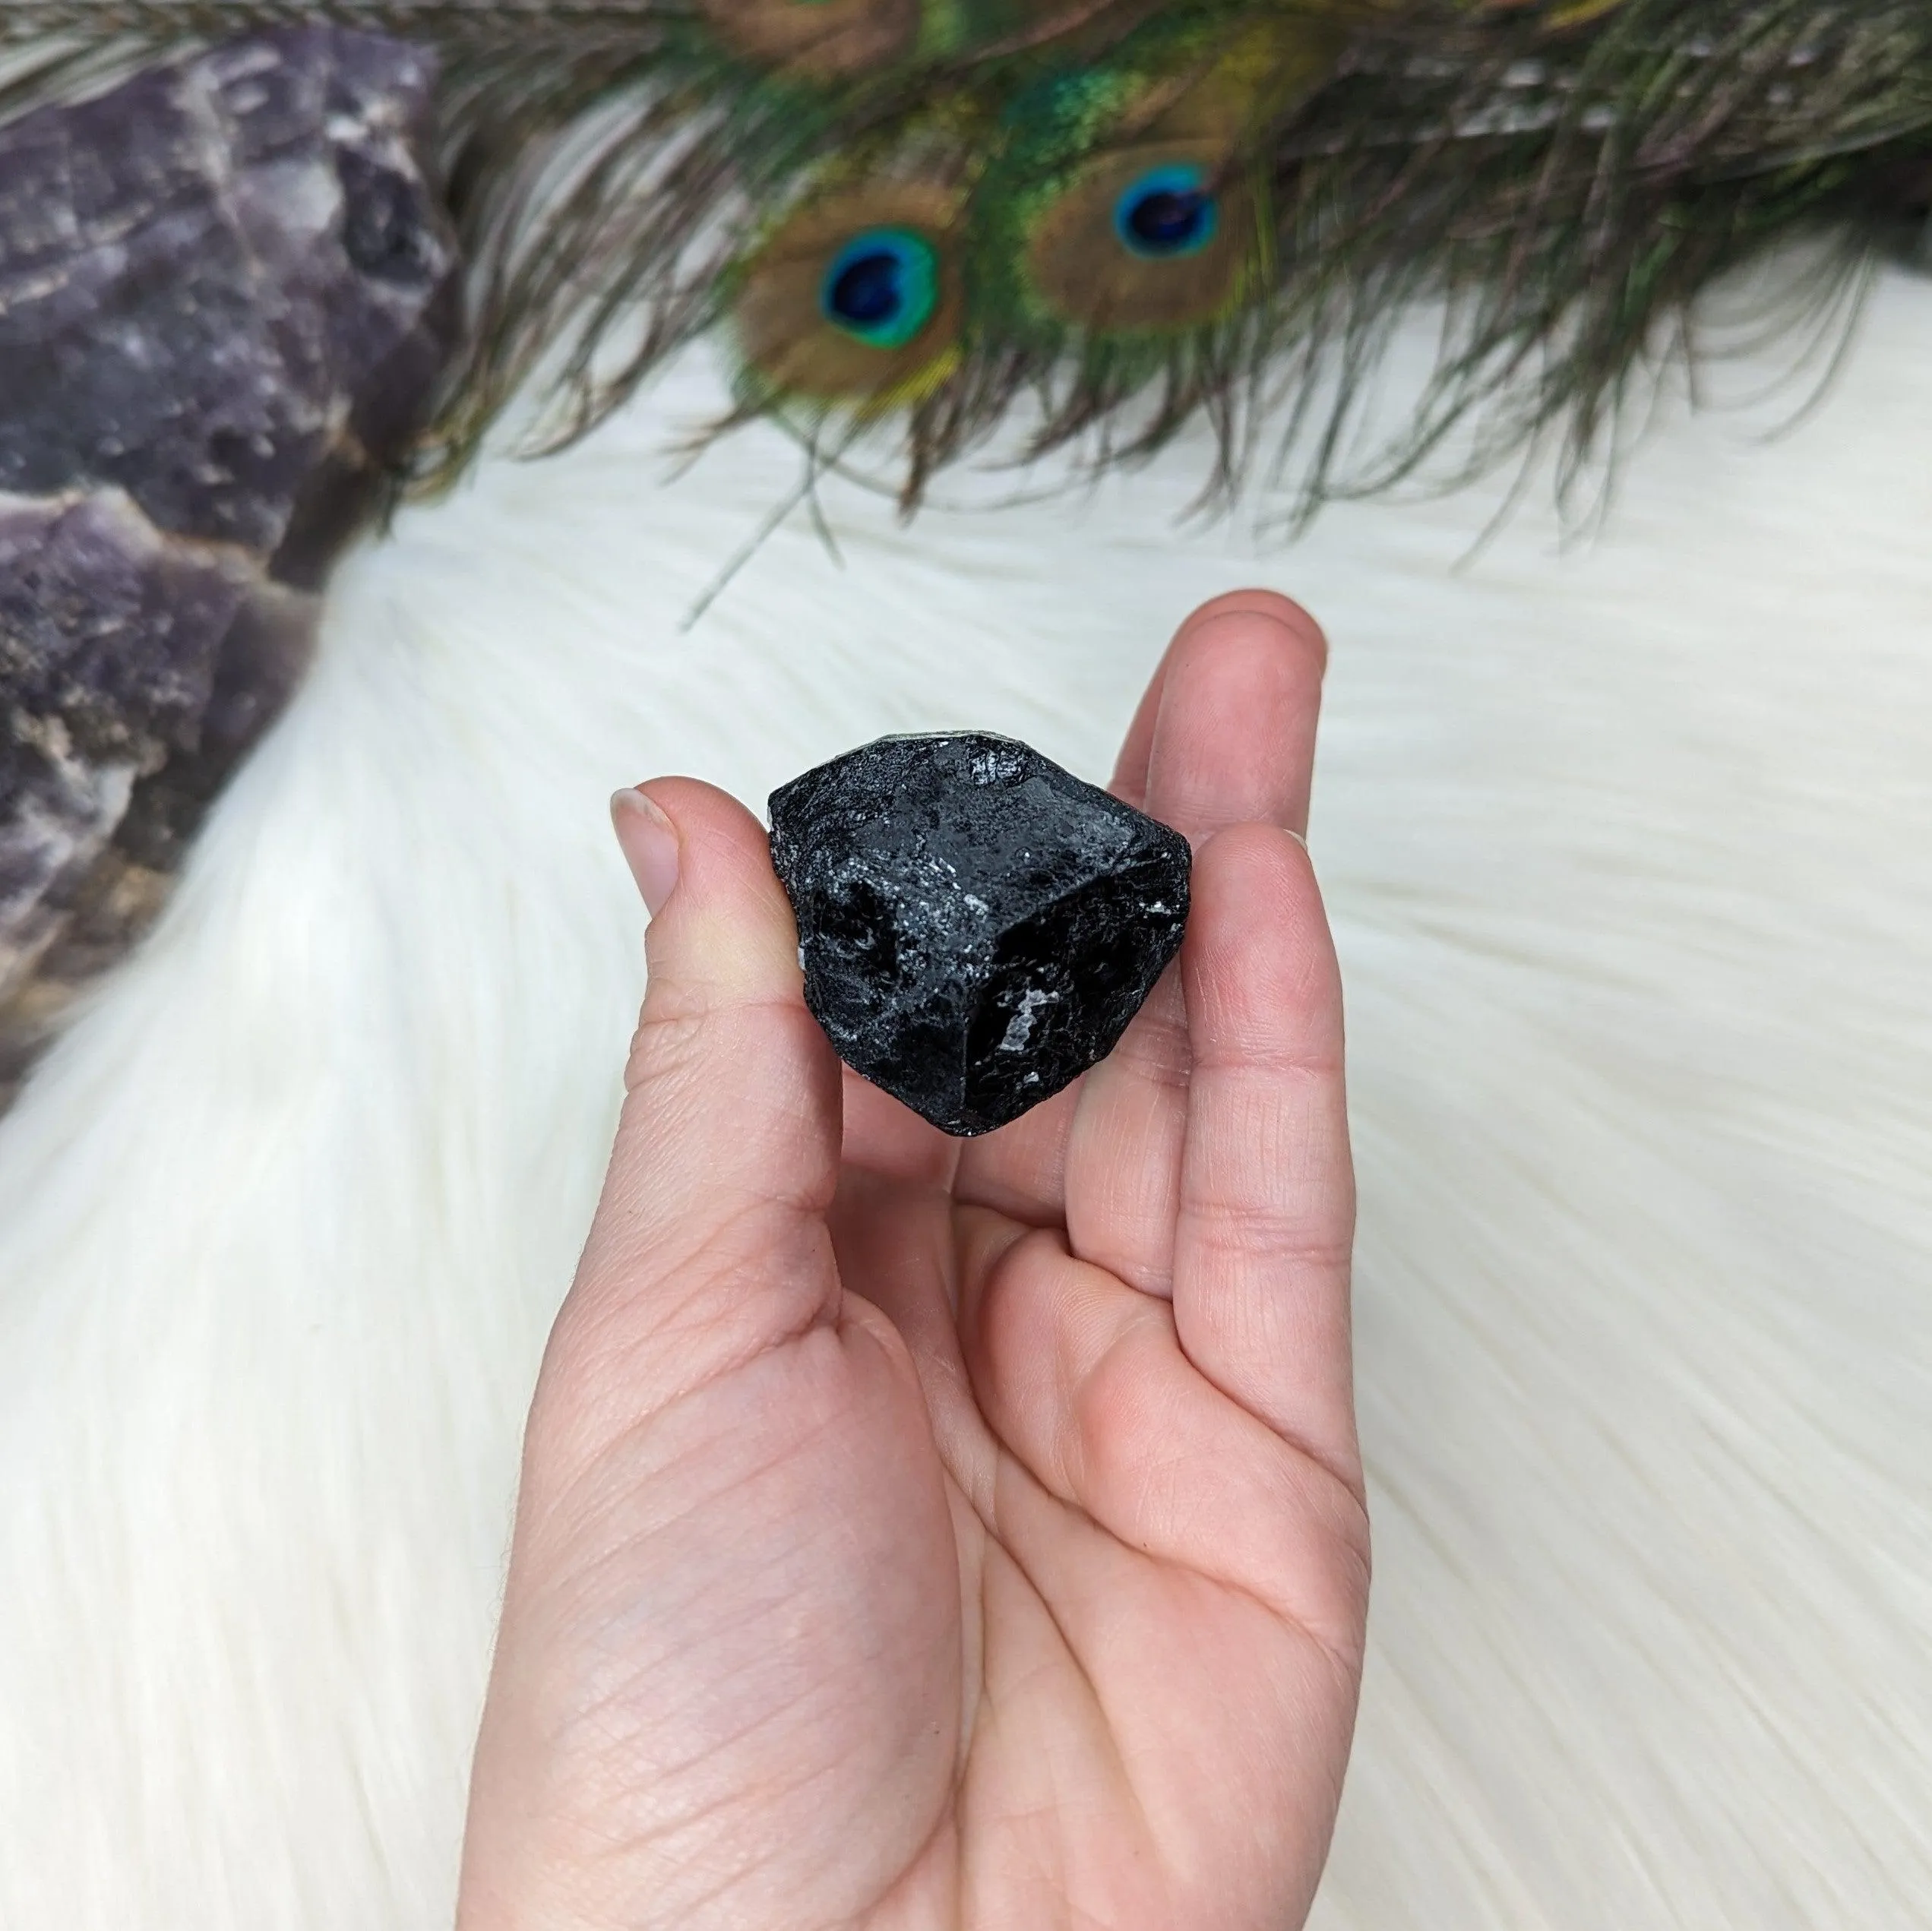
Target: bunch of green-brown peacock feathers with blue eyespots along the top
924,219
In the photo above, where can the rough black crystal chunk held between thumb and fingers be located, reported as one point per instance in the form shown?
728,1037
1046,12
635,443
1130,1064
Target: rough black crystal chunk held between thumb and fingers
977,926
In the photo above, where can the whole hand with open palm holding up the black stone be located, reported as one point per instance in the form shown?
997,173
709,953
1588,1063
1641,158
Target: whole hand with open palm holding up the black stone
928,1534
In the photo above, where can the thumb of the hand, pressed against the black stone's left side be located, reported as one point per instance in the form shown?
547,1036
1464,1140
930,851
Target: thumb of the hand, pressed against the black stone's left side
710,1239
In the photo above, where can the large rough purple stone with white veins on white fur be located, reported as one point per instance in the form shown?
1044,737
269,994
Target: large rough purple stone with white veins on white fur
227,291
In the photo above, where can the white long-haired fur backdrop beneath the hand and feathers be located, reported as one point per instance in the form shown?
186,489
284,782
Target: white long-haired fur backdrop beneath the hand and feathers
1632,860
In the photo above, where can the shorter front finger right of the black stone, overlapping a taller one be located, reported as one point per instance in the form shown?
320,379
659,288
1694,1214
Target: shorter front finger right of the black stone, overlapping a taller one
1266,1219
